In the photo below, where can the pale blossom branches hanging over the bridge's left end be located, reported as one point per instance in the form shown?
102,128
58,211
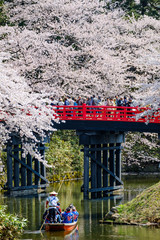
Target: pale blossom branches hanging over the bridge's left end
23,112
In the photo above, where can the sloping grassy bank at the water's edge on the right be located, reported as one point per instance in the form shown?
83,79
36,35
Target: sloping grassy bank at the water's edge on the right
144,209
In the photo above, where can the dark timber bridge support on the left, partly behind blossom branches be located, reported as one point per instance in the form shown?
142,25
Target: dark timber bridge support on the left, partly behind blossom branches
24,173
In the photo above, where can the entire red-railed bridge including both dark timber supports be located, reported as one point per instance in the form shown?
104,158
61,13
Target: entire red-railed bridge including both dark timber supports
101,130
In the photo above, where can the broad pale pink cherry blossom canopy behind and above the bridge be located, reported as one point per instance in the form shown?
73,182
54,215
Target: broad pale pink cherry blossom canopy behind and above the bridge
80,48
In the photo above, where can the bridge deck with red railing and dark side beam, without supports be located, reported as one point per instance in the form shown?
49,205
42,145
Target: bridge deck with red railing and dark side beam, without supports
107,118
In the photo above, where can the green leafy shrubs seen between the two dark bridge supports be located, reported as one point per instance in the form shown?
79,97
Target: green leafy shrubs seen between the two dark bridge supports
64,154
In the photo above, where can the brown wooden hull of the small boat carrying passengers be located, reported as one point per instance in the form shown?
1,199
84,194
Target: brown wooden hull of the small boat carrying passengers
60,226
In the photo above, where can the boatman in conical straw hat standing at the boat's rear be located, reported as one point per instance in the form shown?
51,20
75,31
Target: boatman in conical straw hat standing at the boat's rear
53,214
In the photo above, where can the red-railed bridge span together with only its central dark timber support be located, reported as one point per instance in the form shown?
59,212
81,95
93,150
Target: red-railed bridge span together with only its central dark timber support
101,130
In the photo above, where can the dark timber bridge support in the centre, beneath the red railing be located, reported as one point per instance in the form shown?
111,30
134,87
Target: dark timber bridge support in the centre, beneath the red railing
102,158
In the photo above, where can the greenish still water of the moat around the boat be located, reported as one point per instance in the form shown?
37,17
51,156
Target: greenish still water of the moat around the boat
91,211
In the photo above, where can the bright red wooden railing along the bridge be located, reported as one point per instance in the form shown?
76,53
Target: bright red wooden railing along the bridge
105,113
